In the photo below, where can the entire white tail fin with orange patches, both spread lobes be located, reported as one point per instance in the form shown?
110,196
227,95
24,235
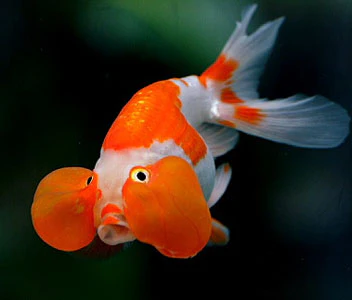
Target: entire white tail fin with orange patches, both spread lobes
313,122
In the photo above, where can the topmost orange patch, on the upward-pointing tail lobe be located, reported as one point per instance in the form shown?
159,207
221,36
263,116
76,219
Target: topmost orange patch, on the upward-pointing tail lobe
221,70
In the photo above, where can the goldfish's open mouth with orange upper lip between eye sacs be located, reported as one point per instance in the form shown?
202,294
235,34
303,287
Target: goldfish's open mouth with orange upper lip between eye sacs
114,230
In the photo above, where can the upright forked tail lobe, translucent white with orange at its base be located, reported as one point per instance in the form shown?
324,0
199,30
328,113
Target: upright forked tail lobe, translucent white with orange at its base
242,59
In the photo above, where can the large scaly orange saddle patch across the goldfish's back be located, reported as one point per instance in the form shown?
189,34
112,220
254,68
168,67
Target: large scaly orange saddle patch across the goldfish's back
154,114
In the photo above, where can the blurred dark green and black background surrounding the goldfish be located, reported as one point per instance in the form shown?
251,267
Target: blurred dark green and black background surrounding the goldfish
68,67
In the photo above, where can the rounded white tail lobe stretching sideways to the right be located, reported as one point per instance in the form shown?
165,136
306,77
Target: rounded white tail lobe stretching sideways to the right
313,122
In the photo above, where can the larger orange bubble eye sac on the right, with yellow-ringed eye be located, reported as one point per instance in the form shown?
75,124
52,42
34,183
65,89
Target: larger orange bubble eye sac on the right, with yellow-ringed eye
165,207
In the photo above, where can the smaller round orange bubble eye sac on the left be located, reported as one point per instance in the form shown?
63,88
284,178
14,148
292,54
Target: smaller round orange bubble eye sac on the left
62,210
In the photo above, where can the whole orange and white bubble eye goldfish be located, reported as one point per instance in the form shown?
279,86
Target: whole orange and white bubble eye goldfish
156,180
